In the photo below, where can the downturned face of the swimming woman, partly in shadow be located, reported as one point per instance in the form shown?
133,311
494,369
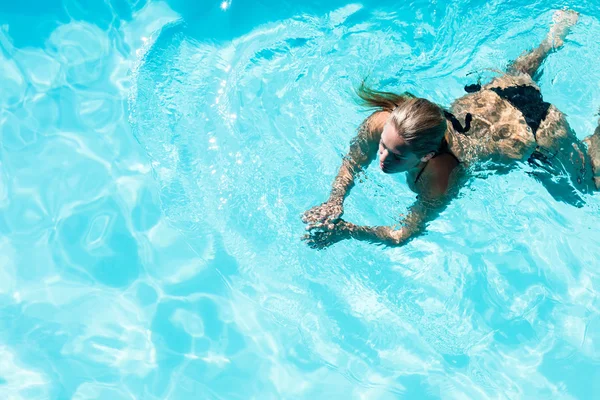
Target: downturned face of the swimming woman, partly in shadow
394,154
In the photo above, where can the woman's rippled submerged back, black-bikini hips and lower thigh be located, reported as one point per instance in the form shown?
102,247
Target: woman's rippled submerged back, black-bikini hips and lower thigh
506,131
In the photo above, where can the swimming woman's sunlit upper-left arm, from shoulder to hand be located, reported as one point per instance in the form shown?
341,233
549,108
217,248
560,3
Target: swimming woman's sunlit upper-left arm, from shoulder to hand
363,150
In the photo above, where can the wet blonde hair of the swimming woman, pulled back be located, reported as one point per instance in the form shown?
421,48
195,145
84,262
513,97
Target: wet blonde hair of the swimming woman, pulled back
421,123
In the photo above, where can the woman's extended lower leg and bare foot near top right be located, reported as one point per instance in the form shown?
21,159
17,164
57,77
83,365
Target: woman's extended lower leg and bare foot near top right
530,62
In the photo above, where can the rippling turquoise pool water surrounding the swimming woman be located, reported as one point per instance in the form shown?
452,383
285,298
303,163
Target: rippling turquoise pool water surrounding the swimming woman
155,160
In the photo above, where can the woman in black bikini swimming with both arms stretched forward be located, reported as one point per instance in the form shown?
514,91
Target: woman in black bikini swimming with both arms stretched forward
505,121
